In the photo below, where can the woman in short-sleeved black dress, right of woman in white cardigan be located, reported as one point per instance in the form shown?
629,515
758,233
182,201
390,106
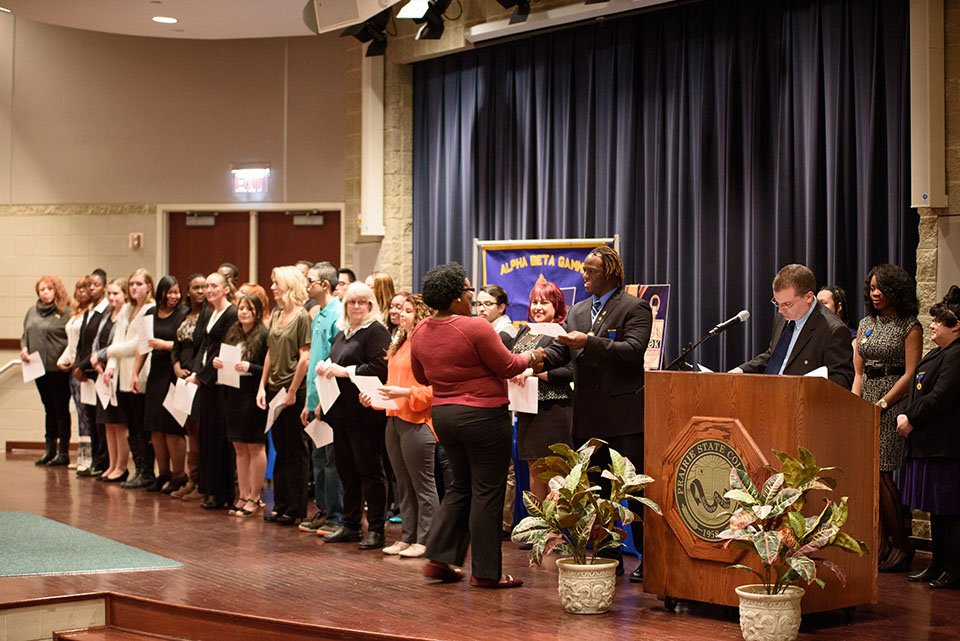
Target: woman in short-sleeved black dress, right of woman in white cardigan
167,436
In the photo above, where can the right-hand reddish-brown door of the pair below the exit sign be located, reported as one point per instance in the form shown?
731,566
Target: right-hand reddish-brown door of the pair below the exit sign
283,243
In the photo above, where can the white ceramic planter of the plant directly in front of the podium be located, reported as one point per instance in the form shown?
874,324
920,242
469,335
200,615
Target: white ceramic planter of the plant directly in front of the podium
769,617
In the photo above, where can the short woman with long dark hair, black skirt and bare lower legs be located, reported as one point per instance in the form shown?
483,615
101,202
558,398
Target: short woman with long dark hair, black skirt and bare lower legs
245,420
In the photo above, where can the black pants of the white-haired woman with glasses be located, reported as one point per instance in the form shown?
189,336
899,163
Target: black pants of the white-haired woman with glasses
359,449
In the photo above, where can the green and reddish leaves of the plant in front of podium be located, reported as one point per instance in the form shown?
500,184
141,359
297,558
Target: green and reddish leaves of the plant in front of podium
768,521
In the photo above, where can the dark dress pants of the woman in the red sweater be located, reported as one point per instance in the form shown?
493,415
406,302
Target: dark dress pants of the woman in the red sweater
478,442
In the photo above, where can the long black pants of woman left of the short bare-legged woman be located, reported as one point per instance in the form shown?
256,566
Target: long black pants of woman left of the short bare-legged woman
217,459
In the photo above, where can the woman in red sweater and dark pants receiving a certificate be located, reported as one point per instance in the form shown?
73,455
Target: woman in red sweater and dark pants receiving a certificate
464,360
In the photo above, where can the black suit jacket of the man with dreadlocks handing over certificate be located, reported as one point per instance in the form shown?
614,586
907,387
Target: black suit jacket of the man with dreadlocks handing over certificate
608,371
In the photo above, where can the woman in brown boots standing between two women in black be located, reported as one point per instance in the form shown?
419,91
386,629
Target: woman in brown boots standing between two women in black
182,357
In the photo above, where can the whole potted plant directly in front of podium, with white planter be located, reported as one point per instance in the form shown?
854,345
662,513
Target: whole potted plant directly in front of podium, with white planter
769,523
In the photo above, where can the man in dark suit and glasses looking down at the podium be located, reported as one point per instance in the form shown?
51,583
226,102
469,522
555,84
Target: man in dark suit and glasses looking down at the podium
806,335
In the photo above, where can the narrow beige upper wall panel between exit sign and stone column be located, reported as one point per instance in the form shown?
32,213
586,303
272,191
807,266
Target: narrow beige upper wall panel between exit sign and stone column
317,118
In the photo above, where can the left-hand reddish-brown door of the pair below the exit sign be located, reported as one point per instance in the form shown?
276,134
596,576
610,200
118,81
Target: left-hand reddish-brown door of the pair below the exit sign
202,249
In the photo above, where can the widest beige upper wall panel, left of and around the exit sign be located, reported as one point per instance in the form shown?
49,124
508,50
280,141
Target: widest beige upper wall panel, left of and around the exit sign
107,118
